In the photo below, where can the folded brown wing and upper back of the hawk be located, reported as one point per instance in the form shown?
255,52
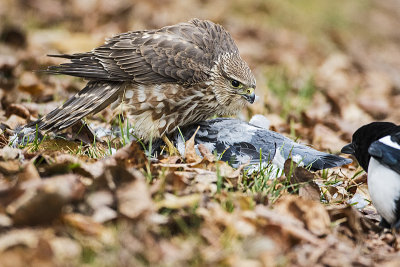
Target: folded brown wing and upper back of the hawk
182,53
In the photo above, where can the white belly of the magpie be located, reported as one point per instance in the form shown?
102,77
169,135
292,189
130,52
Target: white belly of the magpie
384,189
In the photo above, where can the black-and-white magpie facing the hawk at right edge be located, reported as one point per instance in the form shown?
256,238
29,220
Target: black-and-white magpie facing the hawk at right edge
376,146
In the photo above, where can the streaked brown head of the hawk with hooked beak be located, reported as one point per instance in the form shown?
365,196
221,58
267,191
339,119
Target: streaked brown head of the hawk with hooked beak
234,83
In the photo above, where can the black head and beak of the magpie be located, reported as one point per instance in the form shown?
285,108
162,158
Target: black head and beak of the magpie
364,137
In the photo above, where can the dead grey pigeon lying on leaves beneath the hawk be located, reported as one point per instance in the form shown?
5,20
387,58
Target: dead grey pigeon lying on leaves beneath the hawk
240,142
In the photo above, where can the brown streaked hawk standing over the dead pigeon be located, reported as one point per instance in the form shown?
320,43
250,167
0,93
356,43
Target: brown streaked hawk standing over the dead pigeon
161,79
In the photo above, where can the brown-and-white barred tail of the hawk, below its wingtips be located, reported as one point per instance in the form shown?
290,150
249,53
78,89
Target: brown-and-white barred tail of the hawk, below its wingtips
94,97
